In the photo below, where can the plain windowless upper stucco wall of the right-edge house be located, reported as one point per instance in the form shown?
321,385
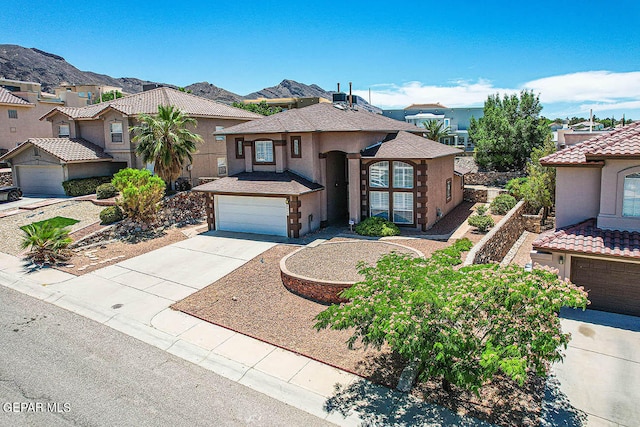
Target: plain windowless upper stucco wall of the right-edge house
577,194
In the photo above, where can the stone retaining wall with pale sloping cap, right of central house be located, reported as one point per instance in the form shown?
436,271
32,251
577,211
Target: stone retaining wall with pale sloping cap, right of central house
494,246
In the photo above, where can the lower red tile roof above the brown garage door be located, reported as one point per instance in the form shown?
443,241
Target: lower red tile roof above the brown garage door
587,238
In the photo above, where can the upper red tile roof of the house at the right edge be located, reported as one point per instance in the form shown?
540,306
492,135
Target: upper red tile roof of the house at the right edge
623,142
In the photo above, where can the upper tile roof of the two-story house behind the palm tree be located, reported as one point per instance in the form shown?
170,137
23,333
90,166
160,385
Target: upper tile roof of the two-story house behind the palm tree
148,102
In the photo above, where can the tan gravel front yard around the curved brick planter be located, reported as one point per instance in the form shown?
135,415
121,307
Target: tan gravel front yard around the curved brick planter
253,301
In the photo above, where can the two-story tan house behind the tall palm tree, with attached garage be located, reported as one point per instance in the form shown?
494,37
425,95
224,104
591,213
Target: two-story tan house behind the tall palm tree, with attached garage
107,126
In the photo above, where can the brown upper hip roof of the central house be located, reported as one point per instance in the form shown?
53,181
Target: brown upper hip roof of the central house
323,117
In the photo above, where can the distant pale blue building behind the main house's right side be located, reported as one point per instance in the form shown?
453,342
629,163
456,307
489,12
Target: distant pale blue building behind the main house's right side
457,119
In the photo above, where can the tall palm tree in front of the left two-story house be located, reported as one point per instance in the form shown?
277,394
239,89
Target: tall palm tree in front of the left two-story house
165,141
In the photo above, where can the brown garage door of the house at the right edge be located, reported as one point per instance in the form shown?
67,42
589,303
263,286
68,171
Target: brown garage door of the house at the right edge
613,286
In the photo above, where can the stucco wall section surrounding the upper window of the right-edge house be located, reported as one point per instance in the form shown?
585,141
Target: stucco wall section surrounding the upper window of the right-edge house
611,197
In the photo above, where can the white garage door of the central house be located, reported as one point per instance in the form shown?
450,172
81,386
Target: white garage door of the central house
261,215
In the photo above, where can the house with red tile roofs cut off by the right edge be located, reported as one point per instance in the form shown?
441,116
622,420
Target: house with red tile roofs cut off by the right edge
597,240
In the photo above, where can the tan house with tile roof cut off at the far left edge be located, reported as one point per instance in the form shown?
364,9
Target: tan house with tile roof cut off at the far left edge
21,106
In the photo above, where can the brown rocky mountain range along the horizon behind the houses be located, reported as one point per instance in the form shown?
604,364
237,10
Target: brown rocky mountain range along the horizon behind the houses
50,70
